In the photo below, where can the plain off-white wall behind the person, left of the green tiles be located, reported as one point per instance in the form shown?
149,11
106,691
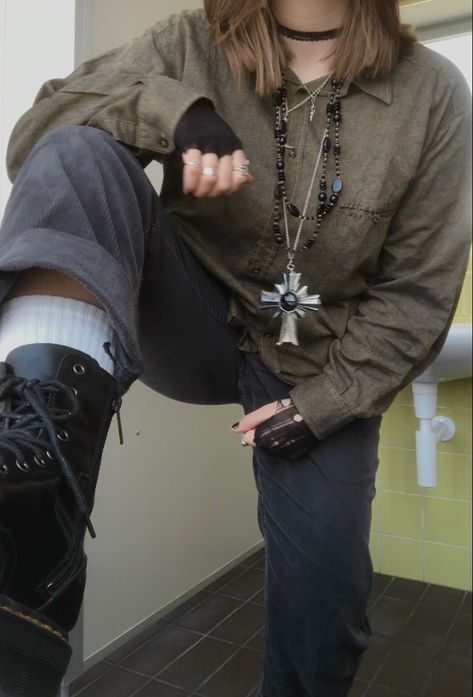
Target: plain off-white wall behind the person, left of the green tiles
178,501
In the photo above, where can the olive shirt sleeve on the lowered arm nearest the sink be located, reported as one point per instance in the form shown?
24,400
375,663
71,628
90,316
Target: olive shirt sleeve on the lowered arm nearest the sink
403,319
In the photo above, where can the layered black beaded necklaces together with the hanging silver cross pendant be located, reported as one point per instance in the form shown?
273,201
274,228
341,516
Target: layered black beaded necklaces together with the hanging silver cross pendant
290,301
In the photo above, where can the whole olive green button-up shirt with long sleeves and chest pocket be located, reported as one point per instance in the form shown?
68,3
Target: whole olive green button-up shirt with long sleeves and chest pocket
388,263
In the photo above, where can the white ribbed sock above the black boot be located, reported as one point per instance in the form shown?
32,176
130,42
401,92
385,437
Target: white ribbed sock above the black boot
47,319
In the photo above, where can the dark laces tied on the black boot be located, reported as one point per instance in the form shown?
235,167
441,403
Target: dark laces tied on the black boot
29,420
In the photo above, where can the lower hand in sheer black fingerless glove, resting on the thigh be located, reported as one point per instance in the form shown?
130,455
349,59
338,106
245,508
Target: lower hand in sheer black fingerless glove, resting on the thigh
279,429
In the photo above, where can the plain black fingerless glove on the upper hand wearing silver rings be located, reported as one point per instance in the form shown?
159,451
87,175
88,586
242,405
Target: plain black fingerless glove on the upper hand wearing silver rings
202,128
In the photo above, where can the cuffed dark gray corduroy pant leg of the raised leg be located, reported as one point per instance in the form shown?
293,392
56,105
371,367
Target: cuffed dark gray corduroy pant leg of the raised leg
82,205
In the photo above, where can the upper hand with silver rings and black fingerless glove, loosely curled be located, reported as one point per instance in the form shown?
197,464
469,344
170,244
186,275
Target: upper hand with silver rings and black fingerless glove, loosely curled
207,141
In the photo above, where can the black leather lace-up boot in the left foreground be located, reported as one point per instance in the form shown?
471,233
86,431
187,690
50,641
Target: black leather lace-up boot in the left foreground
56,404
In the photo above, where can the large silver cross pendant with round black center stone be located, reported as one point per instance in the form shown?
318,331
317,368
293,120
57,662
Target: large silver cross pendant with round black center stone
291,301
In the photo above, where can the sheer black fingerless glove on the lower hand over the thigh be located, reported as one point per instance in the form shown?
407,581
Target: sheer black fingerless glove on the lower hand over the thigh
285,434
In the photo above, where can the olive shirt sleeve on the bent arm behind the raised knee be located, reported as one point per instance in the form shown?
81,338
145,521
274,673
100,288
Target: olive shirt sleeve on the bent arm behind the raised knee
134,92
